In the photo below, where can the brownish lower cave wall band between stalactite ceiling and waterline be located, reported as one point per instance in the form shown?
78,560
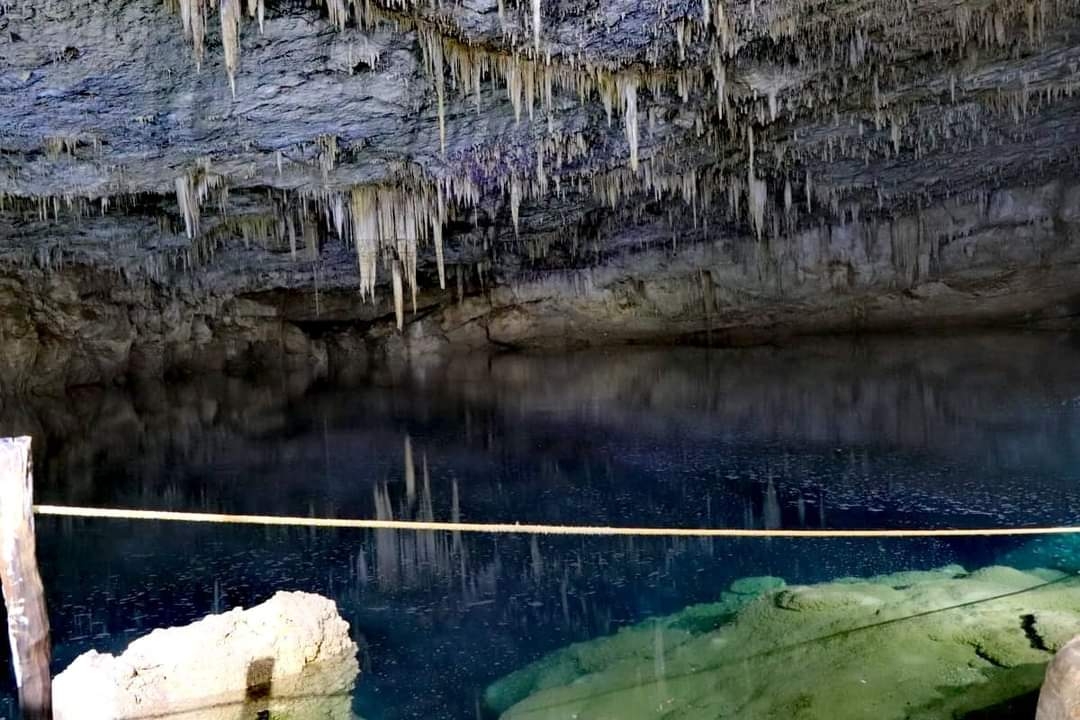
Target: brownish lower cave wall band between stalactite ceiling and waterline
1008,257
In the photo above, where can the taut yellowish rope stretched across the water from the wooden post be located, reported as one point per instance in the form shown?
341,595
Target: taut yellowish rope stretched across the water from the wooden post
517,528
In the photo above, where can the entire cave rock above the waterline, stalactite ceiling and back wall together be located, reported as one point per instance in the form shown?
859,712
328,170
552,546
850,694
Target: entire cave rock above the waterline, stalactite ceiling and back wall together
208,185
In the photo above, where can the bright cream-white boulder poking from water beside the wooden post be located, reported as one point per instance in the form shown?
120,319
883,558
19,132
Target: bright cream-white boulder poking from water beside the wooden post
291,657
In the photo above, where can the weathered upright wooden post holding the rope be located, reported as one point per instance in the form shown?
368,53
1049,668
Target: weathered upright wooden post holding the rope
23,592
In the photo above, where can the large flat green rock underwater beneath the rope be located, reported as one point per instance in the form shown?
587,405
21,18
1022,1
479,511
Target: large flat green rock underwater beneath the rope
913,645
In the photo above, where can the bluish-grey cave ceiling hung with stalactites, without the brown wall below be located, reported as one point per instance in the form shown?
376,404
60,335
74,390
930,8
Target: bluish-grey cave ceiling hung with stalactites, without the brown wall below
383,143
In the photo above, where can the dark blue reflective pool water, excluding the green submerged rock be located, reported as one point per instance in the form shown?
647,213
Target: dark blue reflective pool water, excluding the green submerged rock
961,432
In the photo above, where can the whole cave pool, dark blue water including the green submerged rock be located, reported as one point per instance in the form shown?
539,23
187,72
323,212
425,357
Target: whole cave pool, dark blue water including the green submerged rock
962,432
